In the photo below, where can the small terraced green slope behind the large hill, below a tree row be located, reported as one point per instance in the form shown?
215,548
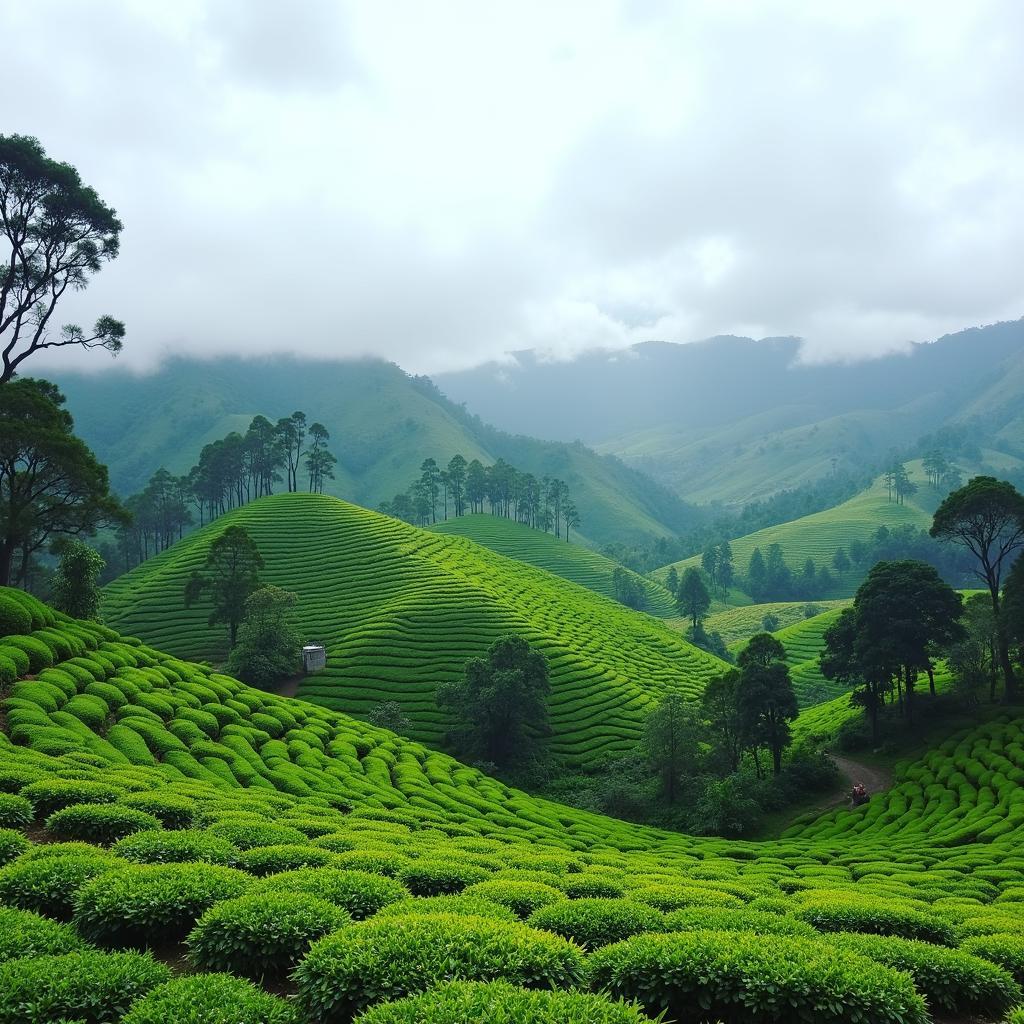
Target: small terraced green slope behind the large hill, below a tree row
571,562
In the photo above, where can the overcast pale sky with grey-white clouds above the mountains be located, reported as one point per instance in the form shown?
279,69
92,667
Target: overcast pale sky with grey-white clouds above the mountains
441,184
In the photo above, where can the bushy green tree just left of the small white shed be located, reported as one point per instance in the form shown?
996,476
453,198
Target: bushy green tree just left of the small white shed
268,649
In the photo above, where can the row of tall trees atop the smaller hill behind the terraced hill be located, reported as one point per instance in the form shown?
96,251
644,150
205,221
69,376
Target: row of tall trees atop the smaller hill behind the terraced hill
470,487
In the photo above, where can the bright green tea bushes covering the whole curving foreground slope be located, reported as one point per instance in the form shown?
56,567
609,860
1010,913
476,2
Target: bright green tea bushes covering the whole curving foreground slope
178,847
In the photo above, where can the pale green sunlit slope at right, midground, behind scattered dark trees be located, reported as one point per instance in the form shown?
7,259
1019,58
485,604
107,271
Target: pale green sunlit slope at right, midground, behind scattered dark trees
820,536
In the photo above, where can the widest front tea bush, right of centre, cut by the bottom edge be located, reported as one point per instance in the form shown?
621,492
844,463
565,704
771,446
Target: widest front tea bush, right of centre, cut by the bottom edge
740,976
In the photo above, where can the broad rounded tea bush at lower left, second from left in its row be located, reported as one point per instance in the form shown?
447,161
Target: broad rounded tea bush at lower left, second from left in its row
153,903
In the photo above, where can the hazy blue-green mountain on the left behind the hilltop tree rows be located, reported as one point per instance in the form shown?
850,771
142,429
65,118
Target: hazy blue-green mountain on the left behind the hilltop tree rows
383,424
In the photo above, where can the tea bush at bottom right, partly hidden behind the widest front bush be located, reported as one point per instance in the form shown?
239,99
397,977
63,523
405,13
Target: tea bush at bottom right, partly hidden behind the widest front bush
950,979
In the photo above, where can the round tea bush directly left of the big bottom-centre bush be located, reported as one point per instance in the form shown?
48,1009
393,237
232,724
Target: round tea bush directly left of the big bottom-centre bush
262,934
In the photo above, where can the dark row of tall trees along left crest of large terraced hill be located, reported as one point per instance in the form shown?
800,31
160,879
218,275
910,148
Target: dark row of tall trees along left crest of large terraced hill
230,474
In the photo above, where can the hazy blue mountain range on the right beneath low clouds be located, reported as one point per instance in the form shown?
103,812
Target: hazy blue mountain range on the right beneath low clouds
734,419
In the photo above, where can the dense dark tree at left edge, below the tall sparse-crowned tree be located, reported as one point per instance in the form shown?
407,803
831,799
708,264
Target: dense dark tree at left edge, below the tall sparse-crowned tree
52,485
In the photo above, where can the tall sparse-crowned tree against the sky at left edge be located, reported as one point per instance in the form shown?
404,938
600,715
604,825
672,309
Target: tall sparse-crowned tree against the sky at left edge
60,234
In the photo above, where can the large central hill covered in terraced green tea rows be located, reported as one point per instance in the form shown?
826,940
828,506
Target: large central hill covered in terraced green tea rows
401,610
